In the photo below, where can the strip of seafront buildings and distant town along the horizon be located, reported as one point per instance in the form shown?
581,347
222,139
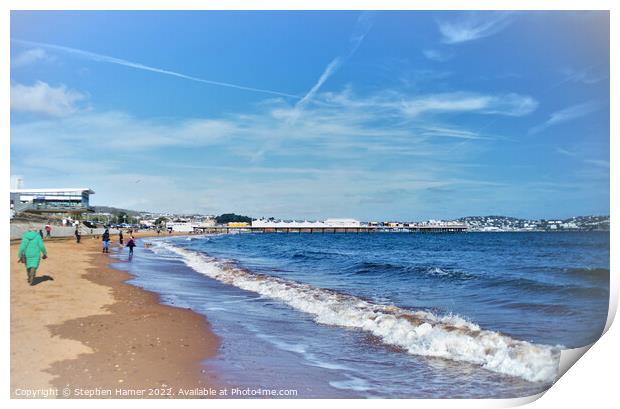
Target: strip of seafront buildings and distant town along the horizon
69,204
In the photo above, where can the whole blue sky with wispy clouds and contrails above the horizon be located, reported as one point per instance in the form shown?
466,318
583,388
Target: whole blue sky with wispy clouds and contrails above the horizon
402,115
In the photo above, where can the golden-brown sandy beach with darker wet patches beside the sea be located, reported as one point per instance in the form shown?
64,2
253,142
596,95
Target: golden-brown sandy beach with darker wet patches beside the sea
82,327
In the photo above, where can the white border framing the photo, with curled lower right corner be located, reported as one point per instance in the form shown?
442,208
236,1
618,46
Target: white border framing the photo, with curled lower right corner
591,382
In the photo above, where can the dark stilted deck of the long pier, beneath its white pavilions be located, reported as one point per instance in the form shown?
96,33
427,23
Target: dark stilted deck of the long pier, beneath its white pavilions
361,229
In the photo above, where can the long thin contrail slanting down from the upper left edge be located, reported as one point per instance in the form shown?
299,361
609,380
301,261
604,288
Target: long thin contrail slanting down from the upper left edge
118,61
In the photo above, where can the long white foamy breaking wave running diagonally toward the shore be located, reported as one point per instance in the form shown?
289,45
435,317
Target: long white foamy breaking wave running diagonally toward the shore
418,332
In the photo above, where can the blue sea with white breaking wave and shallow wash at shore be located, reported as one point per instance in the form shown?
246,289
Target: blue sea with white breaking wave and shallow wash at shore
387,314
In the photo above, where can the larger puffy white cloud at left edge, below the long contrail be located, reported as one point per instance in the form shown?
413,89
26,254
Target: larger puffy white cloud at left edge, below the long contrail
42,98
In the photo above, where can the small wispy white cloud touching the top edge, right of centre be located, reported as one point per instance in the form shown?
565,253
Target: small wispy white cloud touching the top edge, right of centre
472,26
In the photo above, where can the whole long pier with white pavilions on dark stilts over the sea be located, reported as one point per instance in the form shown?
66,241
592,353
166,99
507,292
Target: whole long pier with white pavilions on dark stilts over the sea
332,226
